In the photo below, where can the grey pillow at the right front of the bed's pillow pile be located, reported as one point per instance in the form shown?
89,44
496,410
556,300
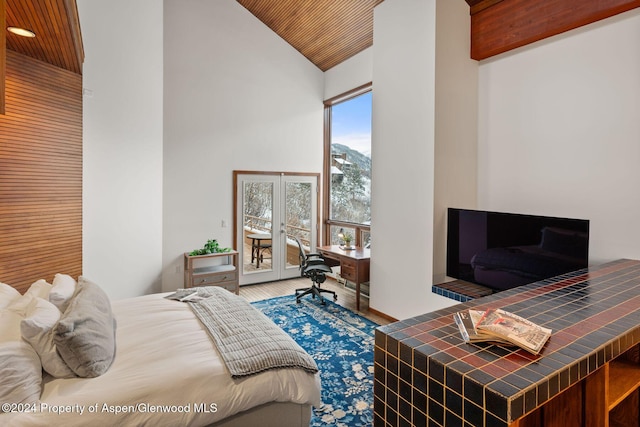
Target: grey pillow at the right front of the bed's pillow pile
85,334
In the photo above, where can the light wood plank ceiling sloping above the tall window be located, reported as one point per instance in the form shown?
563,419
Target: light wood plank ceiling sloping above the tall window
326,32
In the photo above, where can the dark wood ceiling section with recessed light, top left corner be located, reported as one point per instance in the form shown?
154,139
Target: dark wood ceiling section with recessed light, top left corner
58,39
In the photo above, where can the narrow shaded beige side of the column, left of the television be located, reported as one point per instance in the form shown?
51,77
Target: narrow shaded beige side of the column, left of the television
456,123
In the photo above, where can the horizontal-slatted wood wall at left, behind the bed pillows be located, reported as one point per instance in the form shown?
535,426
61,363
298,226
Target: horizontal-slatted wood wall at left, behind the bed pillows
40,173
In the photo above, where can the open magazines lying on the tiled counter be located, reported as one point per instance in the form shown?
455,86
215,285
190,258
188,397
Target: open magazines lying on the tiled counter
501,327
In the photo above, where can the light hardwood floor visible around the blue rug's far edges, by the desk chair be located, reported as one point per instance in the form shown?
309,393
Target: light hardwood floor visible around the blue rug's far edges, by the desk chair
346,297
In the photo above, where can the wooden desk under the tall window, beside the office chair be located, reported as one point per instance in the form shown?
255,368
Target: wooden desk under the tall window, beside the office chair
354,264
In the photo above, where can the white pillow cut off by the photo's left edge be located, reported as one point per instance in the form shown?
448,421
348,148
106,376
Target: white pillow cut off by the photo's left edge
20,368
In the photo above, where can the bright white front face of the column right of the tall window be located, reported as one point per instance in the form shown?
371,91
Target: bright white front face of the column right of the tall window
403,153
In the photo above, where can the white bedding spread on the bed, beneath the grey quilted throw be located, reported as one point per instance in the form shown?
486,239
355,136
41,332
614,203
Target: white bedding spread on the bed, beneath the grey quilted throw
163,357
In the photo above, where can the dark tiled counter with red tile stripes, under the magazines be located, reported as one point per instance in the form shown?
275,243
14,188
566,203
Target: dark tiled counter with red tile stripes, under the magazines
425,372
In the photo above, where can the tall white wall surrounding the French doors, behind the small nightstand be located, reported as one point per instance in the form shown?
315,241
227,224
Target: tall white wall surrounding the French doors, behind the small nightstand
237,97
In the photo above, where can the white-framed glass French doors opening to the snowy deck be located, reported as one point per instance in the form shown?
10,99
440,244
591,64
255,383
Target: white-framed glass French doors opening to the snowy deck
271,209
